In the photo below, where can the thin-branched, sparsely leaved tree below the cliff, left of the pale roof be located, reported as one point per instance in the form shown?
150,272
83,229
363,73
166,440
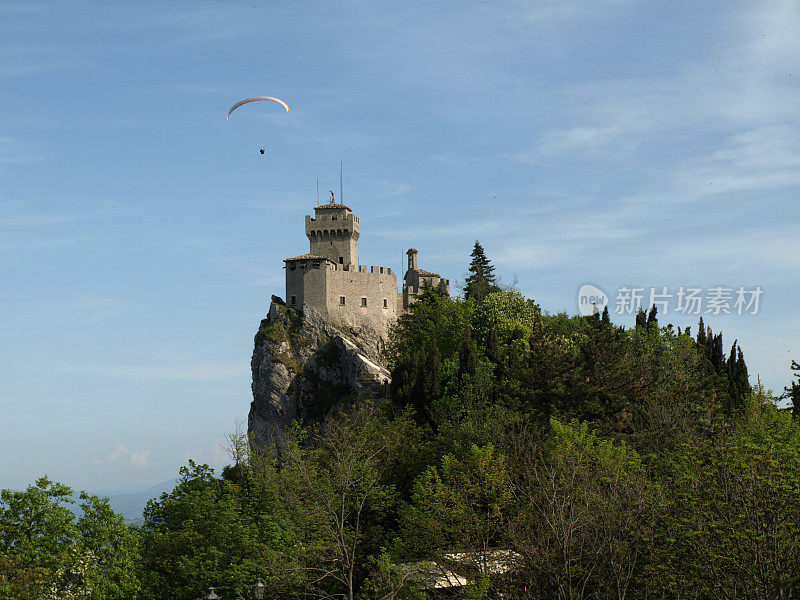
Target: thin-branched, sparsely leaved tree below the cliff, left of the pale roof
338,490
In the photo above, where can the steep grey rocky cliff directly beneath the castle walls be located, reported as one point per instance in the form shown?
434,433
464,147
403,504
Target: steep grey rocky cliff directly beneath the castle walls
304,367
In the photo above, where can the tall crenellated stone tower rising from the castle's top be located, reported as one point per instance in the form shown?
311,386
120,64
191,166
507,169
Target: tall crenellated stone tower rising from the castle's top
333,232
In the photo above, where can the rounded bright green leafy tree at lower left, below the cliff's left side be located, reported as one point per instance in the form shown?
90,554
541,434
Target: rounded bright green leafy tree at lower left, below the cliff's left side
204,533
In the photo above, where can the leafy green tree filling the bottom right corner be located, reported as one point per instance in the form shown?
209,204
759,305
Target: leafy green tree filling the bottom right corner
731,528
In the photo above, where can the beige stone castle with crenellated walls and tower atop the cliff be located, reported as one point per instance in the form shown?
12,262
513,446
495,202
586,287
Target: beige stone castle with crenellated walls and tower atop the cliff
330,280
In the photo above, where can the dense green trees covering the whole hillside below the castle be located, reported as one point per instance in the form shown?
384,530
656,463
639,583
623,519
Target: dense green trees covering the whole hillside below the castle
533,455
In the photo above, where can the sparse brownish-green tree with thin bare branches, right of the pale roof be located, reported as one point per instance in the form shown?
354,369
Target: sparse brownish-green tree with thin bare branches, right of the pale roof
585,513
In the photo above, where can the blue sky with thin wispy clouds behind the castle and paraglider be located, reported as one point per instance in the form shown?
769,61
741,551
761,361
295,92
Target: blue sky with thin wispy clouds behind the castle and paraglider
141,234
